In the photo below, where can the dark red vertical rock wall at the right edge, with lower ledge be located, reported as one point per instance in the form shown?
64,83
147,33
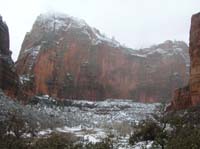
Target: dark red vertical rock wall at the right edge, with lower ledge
190,95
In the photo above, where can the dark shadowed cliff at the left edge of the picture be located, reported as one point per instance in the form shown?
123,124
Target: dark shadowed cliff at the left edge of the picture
8,76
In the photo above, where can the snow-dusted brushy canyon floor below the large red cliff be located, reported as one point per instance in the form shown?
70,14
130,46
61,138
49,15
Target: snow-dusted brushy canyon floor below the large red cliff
91,121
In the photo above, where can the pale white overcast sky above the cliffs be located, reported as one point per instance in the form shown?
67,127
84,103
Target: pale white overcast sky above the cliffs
135,23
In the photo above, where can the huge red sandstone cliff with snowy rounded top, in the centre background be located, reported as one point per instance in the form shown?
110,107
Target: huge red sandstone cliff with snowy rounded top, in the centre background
66,58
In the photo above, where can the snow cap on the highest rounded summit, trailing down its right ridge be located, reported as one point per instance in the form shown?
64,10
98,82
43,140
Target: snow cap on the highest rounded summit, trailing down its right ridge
55,22
